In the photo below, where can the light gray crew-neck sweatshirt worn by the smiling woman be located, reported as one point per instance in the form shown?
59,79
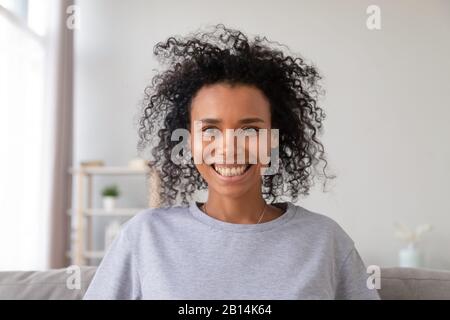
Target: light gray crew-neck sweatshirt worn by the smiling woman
183,253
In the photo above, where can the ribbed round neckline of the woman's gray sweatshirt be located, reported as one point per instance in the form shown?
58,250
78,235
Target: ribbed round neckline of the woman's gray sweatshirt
241,227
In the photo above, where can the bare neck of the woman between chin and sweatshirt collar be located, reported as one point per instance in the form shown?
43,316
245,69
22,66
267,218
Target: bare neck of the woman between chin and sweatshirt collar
244,209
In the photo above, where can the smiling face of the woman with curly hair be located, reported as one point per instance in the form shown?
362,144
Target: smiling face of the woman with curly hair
244,109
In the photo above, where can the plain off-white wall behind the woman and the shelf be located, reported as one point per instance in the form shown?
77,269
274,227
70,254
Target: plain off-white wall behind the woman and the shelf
387,101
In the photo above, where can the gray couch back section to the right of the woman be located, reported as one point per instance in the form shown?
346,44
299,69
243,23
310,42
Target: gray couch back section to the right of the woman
414,283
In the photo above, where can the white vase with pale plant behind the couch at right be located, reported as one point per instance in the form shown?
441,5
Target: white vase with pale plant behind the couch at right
410,256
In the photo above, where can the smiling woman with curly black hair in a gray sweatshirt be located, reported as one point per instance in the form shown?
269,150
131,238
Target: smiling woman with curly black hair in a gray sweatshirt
242,242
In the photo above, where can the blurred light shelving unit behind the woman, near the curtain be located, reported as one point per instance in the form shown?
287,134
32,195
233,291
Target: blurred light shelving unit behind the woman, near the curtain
81,231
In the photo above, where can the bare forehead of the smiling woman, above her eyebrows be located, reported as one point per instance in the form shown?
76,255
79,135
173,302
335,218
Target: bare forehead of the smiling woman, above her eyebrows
229,102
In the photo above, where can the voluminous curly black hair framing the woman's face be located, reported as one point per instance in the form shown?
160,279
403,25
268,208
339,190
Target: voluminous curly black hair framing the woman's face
224,55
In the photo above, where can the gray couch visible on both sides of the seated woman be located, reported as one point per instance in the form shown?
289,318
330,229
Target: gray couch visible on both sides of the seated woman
396,283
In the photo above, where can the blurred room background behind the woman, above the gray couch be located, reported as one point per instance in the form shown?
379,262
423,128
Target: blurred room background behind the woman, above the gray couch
72,77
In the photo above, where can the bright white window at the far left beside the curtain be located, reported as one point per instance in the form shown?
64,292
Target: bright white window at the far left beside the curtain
23,56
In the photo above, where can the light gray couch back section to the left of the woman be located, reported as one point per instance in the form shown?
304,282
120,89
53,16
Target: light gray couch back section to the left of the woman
43,285
